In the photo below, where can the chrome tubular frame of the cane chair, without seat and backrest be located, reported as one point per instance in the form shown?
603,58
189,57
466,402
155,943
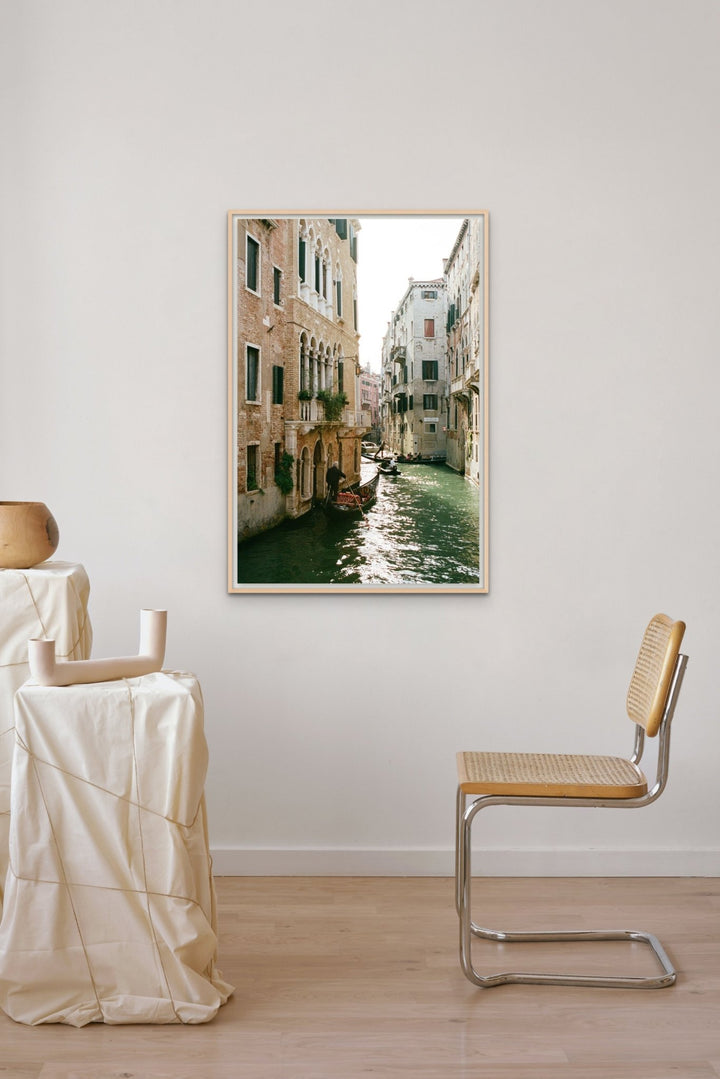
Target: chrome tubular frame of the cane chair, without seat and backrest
466,815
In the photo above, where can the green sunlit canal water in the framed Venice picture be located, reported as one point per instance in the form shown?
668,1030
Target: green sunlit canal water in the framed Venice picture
424,530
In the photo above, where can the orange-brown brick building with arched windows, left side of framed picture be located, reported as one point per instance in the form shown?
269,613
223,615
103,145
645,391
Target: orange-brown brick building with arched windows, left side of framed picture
296,339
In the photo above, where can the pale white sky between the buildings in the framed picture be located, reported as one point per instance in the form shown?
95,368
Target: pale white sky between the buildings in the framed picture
391,250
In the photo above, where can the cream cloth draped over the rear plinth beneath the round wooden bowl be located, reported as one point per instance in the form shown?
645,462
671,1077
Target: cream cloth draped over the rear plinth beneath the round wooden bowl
50,600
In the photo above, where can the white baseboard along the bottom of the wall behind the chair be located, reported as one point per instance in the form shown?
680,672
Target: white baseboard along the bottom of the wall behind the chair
232,862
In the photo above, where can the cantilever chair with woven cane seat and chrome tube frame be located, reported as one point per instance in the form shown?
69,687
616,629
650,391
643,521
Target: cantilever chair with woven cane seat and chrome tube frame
547,780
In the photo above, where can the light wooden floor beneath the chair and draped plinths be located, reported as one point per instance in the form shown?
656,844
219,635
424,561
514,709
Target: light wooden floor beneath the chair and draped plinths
350,978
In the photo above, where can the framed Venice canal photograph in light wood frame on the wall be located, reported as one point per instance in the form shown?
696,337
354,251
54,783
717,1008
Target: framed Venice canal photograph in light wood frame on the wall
358,402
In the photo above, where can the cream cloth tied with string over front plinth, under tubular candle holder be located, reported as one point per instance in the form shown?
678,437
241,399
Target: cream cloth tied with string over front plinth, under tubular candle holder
110,911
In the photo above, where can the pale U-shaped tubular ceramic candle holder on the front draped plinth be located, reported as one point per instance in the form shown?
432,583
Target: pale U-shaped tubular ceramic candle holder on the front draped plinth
47,671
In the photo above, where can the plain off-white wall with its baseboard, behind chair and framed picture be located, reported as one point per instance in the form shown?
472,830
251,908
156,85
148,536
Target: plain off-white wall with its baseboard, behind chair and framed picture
590,132
